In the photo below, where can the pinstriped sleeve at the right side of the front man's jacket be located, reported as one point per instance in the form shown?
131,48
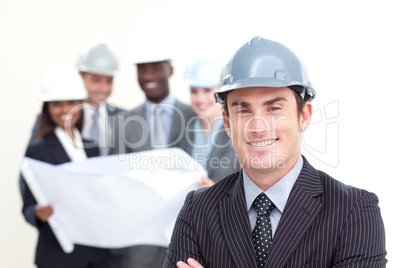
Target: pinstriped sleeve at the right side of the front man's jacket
362,240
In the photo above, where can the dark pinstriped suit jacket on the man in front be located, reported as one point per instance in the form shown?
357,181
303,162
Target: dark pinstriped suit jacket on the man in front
324,224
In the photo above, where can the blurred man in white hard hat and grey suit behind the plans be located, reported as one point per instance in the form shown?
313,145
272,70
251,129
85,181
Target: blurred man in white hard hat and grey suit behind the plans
158,123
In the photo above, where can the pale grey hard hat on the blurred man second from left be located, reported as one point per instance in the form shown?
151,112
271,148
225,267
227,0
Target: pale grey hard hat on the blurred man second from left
98,58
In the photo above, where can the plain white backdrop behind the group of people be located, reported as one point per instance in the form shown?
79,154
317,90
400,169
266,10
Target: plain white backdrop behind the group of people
352,51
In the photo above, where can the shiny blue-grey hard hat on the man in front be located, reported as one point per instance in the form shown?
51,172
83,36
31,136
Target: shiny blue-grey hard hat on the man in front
264,63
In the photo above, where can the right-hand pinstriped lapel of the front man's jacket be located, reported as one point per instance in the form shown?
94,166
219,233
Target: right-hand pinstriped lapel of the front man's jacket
301,209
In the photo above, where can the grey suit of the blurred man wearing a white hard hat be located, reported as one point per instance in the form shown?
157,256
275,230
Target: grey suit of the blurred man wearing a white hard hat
132,135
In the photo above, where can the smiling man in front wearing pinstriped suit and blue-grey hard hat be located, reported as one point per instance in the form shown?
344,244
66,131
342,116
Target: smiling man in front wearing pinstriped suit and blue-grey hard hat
310,219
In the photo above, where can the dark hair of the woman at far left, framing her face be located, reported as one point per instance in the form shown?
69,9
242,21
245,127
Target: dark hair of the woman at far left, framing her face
47,126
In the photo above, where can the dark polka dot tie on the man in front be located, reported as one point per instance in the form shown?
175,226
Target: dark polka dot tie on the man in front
262,234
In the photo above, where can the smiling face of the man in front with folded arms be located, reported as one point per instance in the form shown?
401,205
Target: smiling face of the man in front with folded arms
265,127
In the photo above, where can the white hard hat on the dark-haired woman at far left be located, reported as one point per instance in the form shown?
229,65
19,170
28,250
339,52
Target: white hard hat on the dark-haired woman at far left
62,83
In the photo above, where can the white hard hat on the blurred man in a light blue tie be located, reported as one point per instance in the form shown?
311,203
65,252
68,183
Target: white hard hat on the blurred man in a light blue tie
151,47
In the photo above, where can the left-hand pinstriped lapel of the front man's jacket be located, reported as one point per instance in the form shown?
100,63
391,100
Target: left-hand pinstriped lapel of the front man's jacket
234,218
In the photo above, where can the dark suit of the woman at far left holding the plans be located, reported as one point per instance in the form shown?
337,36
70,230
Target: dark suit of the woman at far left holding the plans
48,251
